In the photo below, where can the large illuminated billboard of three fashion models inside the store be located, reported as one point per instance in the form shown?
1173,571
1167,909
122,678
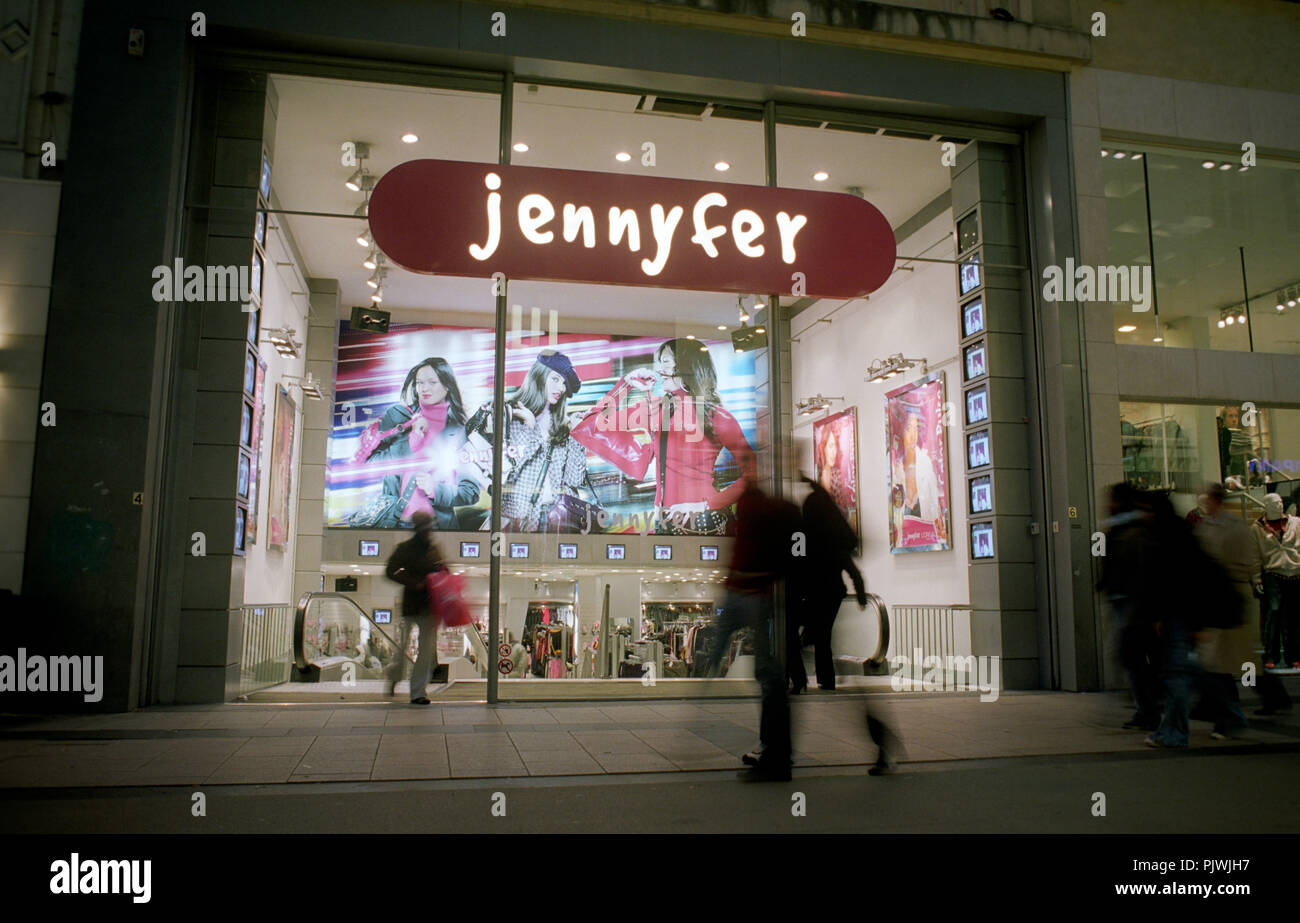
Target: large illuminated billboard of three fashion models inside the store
603,434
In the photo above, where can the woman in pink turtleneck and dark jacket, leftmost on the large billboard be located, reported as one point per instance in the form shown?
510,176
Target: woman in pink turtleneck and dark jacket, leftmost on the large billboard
424,432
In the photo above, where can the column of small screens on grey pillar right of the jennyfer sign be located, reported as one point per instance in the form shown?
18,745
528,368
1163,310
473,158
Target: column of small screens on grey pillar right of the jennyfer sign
973,336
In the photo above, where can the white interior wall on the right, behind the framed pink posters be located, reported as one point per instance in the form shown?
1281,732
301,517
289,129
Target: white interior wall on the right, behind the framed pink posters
915,314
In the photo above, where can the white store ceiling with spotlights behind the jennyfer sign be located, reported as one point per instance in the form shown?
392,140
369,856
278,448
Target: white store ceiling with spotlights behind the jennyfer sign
565,128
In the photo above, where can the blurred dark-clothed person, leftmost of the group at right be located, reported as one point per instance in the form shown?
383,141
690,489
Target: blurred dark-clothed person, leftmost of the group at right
1128,582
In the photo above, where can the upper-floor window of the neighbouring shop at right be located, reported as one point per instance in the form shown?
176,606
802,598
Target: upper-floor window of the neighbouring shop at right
1225,237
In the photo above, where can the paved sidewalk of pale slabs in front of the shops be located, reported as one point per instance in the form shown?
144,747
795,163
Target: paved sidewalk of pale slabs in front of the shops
271,744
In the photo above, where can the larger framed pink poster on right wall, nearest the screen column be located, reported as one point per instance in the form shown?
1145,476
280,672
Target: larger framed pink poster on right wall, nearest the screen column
917,461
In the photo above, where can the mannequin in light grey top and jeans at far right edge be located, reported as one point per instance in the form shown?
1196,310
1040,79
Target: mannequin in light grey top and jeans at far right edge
1277,540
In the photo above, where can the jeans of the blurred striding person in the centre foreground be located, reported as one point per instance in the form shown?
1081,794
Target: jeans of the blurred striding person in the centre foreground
755,612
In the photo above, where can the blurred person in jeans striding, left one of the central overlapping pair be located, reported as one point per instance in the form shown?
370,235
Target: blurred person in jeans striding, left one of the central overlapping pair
761,557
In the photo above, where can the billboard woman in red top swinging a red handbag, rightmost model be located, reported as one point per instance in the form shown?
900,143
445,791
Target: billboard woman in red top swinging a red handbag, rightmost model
684,430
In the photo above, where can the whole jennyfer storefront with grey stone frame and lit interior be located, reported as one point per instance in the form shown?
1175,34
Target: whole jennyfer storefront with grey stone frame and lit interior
365,380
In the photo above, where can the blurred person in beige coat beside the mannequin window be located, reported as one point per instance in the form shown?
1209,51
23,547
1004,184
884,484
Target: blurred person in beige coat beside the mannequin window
1225,653
